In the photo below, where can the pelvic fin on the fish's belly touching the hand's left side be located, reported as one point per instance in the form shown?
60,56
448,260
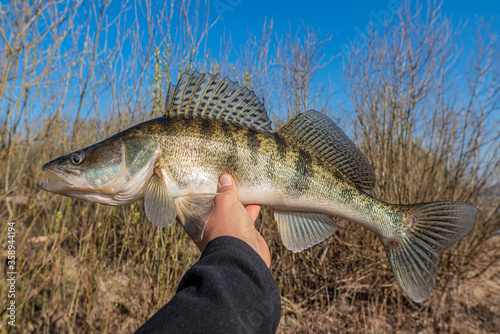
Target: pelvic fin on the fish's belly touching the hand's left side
193,212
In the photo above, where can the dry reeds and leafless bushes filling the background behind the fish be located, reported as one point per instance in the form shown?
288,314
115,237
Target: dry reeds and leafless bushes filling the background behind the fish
72,73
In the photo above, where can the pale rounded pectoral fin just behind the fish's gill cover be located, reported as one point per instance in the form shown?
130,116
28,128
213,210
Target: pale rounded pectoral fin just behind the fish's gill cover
158,203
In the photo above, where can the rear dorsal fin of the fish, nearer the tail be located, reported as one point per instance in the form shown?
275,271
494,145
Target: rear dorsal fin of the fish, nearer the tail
318,134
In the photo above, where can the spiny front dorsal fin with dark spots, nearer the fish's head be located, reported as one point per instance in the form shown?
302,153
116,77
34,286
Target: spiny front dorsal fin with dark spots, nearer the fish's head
211,96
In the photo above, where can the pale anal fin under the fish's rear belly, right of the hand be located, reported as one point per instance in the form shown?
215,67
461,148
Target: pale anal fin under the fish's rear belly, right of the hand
301,230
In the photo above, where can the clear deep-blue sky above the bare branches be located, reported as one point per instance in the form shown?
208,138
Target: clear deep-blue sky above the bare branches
344,20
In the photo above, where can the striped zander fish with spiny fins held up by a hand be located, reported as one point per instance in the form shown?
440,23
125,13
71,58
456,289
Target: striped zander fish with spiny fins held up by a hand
307,171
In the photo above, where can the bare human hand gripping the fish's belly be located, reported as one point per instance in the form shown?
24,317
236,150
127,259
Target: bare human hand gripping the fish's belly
231,218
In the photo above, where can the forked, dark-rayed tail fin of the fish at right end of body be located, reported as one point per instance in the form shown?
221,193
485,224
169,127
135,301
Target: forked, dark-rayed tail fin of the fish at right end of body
432,228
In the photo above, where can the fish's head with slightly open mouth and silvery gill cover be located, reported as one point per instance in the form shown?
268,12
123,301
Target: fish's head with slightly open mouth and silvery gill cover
109,172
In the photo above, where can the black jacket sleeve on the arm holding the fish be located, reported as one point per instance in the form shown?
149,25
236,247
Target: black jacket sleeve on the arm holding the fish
229,290
